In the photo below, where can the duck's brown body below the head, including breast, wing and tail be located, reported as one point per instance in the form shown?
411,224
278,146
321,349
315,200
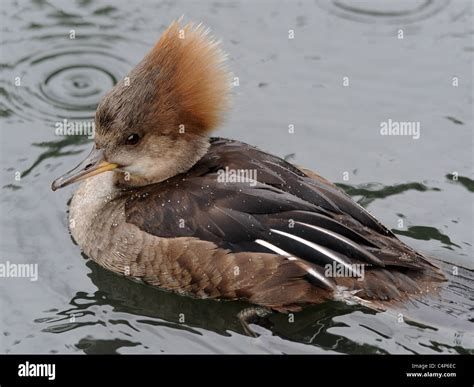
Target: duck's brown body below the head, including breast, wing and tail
269,242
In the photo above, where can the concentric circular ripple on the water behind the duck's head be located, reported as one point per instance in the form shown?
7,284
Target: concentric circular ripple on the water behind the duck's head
67,81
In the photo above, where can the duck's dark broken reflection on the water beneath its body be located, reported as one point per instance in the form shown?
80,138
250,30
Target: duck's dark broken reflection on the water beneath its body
148,305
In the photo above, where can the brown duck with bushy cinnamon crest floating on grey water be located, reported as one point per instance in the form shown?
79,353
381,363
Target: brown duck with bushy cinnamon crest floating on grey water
163,202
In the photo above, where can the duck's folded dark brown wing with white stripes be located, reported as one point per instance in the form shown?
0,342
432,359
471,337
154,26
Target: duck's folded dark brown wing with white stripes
286,212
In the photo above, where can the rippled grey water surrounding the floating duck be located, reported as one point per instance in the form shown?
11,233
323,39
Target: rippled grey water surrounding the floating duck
427,183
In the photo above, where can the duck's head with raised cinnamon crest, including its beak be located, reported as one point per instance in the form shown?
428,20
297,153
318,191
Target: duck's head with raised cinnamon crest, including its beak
154,123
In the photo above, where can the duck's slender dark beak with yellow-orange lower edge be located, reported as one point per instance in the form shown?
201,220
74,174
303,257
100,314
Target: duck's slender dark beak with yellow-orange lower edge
93,164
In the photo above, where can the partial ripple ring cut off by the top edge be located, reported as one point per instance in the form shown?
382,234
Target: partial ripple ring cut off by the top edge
375,11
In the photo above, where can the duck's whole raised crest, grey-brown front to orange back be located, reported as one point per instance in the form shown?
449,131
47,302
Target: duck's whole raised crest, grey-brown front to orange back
182,84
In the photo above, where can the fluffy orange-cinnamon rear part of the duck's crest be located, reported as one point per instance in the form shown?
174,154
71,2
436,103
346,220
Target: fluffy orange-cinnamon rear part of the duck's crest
192,74
